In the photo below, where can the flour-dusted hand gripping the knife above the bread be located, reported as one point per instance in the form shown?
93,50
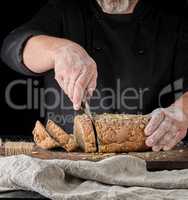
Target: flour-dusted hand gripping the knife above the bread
75,72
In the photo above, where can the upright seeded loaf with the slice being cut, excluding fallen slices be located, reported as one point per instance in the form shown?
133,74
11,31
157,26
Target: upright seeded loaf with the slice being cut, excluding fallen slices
116,133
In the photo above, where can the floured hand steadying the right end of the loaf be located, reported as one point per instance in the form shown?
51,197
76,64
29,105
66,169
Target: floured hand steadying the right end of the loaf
166,128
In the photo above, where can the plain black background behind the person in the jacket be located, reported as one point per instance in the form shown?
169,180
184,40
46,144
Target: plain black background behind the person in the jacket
13,14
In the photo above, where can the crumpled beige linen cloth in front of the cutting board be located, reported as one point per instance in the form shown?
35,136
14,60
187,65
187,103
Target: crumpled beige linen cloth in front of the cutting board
119,177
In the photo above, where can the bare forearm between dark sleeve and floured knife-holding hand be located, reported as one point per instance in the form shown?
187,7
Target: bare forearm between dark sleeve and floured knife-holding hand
39,52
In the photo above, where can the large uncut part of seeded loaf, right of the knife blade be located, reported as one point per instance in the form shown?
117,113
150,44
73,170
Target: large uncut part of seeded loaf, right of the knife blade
117,133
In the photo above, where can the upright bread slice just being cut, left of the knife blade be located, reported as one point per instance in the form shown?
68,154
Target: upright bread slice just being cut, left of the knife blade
84,133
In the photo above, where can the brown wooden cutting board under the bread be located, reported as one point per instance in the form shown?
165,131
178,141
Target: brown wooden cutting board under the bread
169,160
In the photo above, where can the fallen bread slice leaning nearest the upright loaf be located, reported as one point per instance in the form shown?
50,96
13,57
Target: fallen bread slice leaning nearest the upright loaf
67,141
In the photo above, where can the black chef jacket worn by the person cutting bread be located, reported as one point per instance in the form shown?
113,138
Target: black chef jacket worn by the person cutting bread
138,55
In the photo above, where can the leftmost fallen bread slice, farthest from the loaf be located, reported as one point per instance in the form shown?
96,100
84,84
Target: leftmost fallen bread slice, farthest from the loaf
42,138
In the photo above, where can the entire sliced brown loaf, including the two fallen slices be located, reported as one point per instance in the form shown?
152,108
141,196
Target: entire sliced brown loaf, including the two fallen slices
110,133
